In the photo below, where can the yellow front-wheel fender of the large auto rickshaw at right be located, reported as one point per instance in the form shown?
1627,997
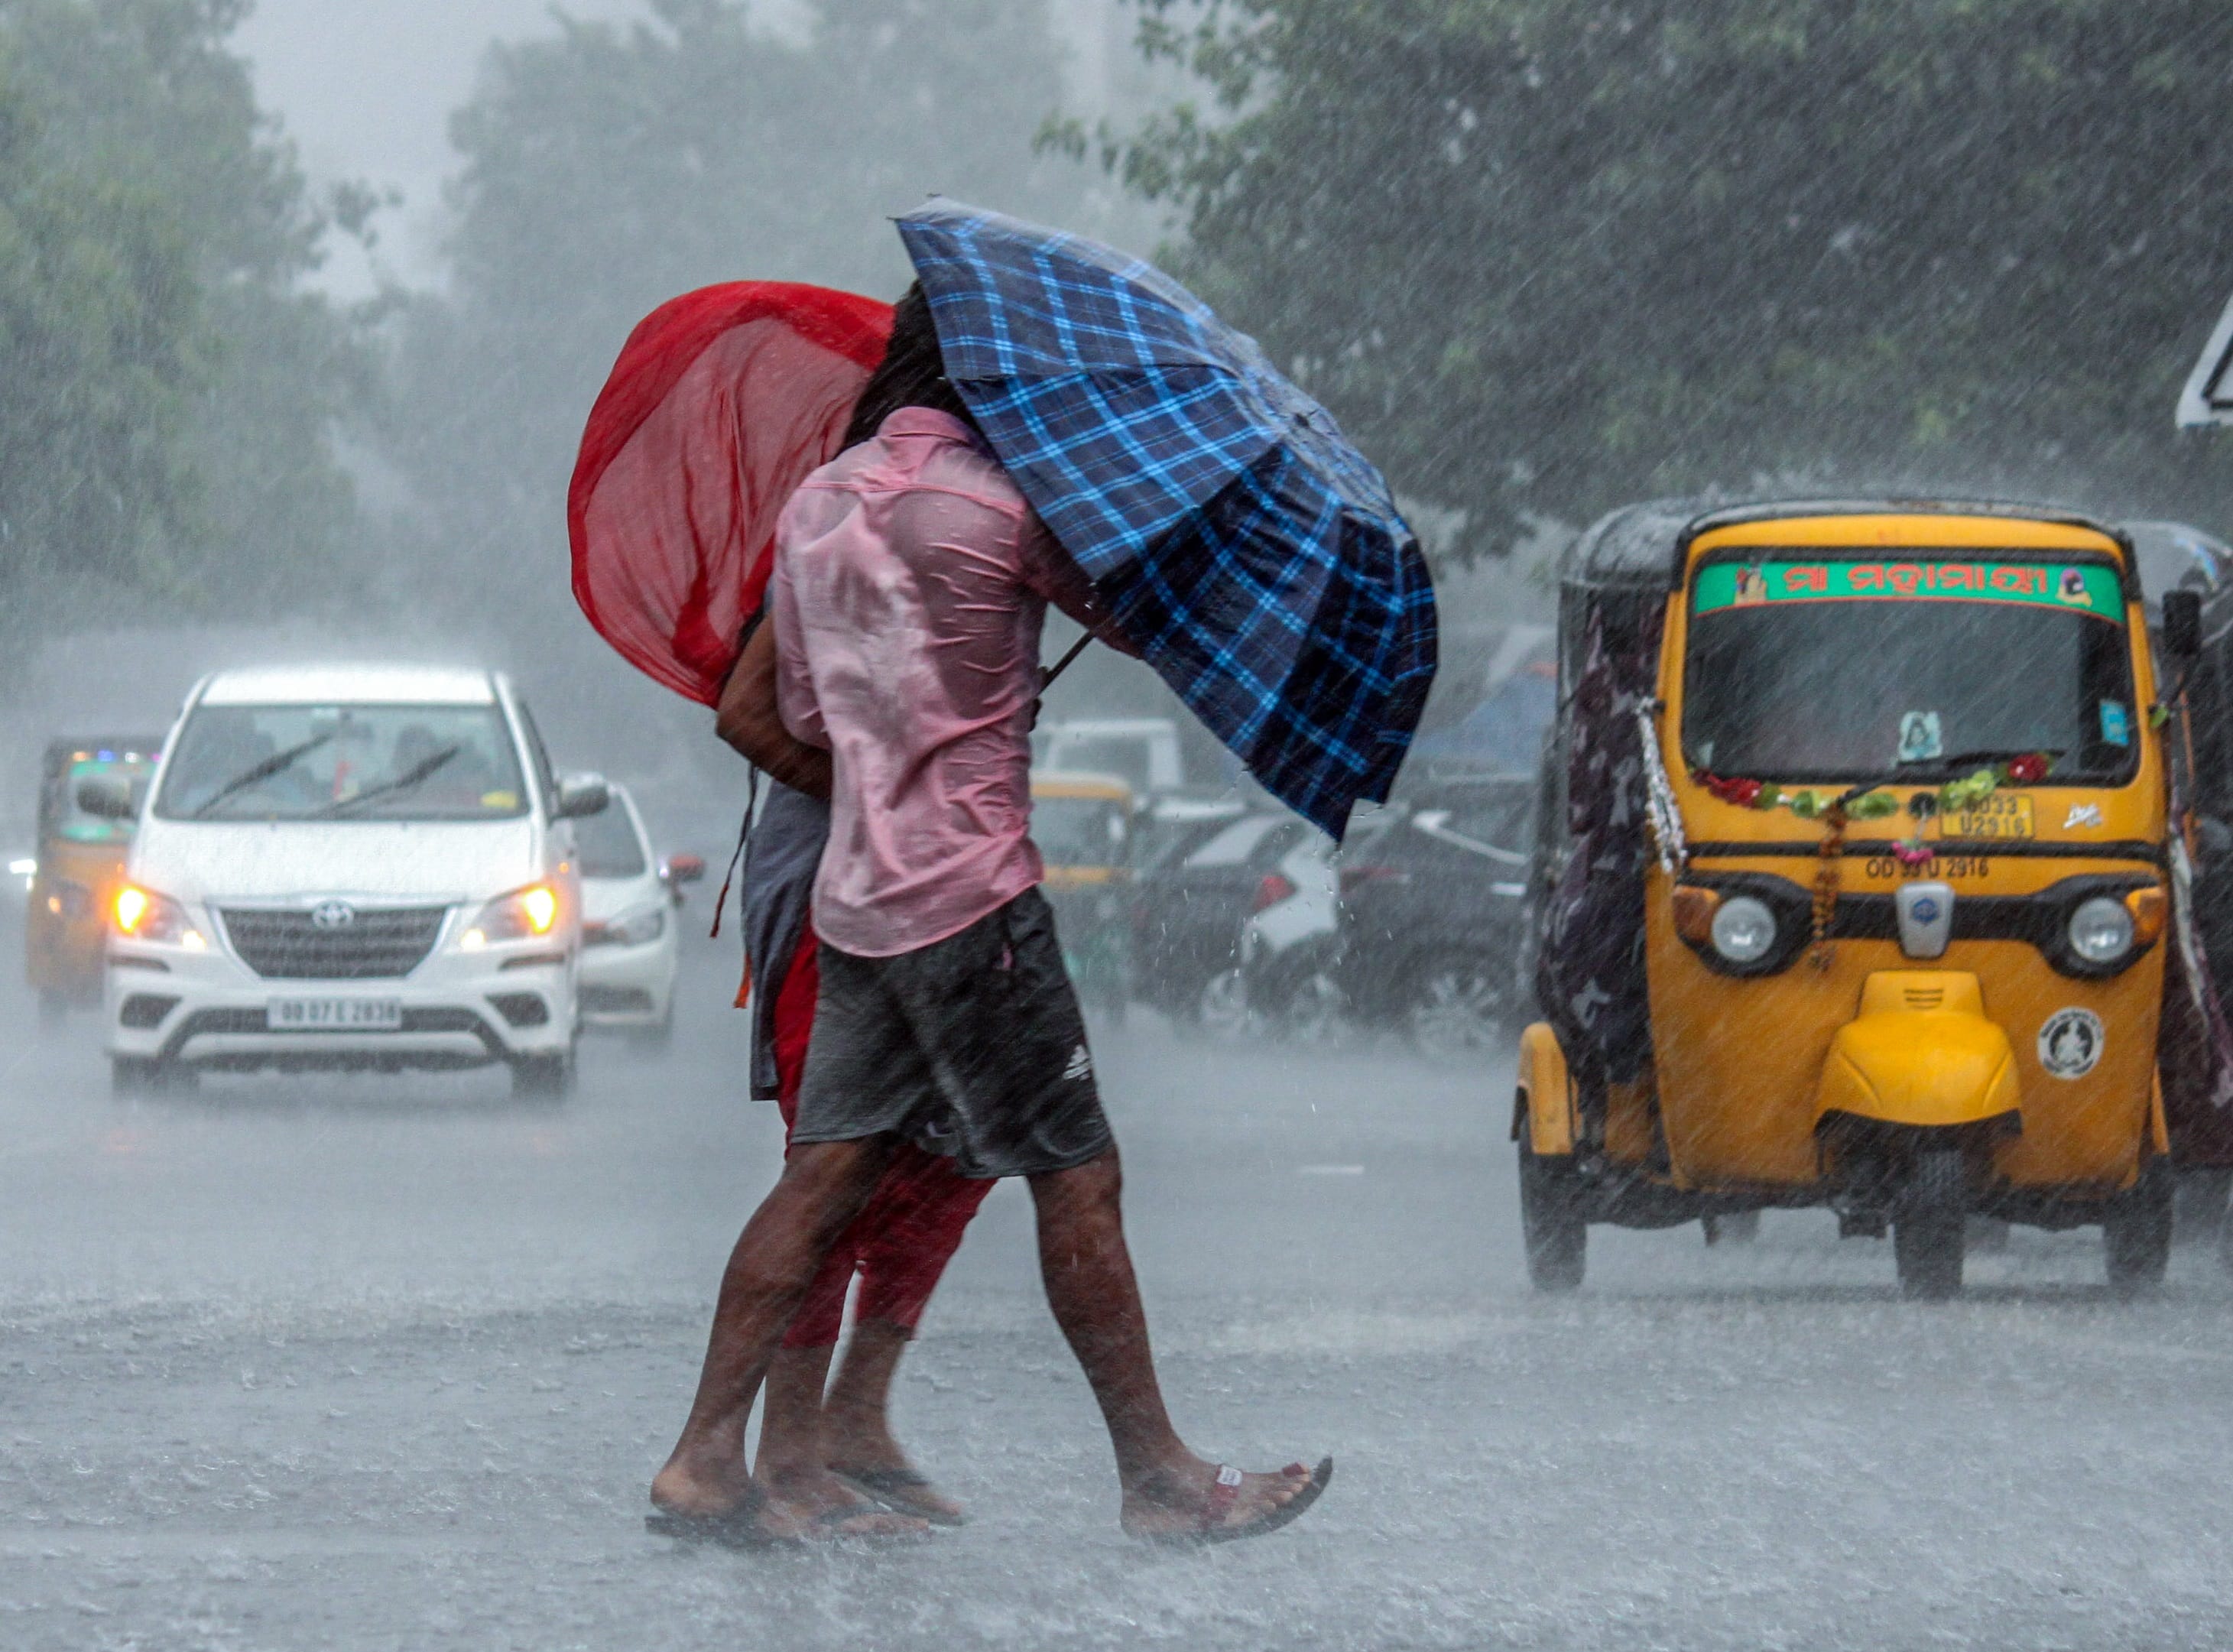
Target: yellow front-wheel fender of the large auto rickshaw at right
1921,1053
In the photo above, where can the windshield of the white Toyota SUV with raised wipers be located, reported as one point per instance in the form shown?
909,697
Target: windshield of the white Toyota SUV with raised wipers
345,762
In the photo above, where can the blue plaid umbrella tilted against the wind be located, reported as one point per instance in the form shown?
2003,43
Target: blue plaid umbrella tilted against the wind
1236,535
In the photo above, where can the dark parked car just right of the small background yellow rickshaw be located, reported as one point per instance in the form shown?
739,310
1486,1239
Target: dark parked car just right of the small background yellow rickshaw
1189,907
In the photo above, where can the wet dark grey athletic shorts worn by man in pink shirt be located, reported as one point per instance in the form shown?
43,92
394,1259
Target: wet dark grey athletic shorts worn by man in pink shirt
972,1046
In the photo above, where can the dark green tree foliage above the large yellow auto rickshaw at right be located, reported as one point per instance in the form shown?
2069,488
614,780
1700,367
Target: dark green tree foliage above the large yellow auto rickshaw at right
1546,256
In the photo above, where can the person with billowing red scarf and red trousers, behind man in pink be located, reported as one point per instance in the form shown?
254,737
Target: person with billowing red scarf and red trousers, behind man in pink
720,405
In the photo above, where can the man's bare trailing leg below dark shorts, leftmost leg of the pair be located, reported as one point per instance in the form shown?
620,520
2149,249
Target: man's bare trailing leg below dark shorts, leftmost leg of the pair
823,1189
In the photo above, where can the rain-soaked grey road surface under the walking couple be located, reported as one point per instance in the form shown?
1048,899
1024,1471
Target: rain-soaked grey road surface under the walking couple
390,1363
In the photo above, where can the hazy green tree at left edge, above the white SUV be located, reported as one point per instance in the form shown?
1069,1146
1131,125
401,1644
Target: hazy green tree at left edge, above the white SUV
162,231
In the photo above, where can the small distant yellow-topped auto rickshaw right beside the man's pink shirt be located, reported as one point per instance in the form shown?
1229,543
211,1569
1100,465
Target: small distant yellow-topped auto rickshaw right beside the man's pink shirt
1084,834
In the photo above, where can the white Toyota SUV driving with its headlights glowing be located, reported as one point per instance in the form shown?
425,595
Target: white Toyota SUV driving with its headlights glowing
349,867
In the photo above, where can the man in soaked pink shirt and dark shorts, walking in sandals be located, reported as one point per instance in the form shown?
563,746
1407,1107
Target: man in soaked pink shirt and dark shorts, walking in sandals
910,590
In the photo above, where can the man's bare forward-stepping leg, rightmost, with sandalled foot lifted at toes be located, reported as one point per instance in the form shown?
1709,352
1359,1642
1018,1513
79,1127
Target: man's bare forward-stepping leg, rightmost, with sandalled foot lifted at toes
1095,1298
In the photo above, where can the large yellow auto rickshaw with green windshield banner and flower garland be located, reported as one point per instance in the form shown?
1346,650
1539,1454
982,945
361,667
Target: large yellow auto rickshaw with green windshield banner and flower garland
1855,887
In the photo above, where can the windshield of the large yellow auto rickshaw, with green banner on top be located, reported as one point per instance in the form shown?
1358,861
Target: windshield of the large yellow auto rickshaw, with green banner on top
1850,671
